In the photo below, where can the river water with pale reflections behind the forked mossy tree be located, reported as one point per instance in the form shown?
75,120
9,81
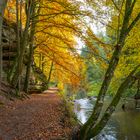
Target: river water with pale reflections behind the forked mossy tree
123,125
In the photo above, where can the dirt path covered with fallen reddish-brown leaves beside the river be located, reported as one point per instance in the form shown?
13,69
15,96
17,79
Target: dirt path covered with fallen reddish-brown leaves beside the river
39,118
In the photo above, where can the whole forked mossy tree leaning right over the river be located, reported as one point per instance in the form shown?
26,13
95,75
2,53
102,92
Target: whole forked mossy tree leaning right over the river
94,125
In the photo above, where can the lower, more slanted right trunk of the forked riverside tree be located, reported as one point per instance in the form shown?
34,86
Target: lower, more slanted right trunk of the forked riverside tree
131,78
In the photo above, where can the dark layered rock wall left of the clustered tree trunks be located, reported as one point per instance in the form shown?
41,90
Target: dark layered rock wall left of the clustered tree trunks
8,44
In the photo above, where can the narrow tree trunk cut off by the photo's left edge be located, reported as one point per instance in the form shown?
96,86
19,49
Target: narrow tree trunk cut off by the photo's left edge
2,8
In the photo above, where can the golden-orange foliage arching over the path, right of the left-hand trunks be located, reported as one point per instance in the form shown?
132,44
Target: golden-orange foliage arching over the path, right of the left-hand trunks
55,38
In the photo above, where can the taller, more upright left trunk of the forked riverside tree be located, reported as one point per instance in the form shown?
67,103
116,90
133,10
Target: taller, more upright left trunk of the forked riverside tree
109,73
